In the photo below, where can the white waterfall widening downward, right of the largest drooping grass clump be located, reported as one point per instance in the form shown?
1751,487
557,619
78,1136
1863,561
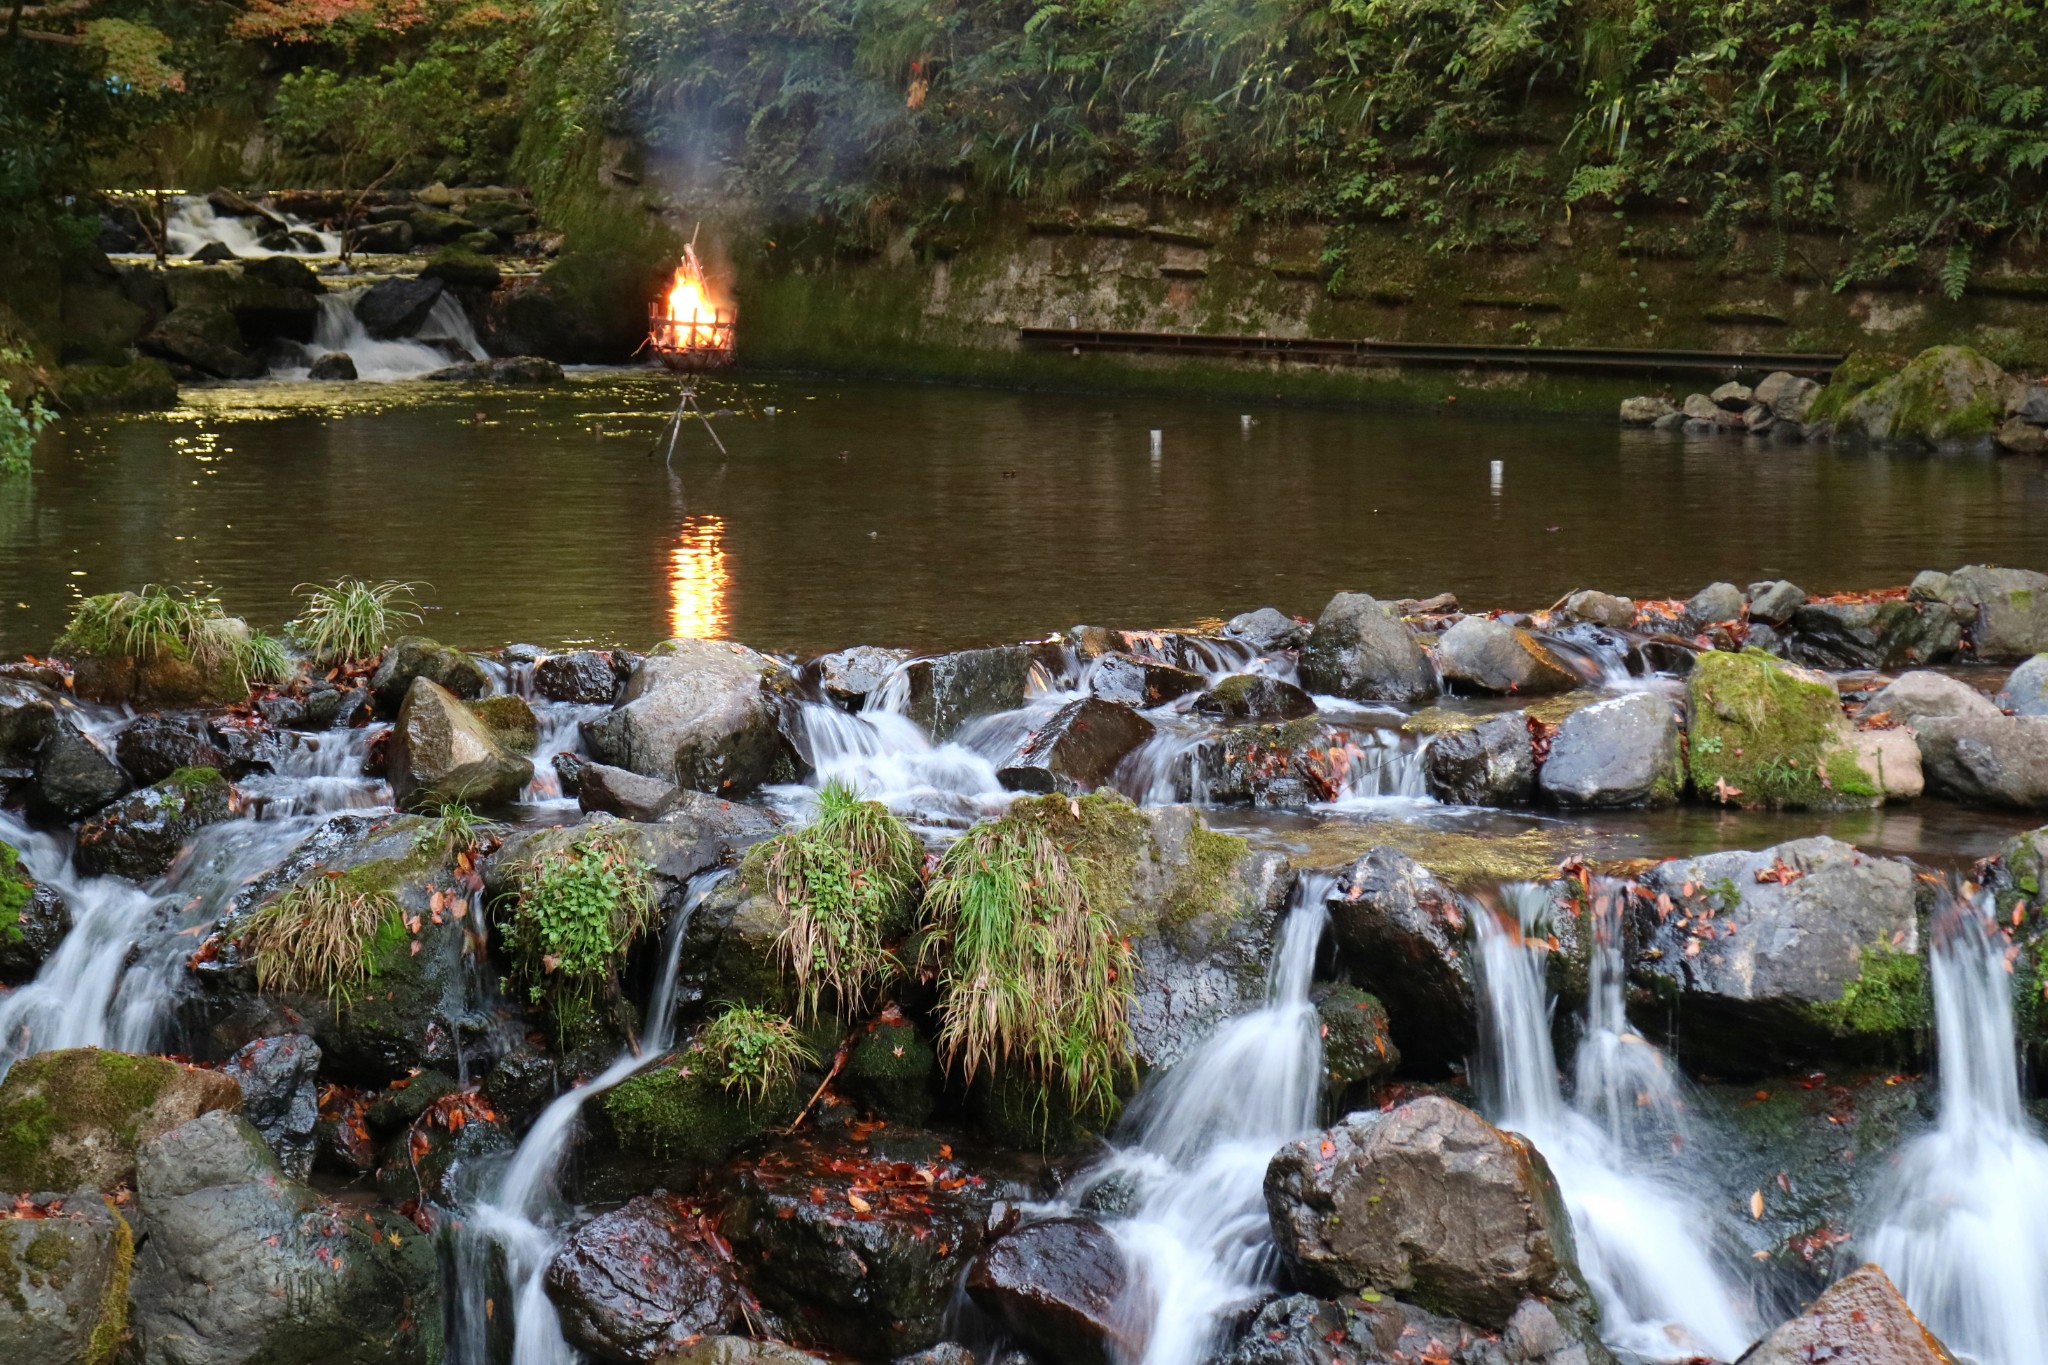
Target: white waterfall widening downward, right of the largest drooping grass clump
1199,1143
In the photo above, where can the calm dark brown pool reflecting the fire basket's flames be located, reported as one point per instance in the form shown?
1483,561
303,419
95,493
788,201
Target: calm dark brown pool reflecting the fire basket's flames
939,517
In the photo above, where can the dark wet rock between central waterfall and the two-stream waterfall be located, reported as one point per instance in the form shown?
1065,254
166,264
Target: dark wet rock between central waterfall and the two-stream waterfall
1402,934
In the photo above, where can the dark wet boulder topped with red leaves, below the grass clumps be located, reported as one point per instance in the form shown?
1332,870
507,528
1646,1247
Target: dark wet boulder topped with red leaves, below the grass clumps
873,1280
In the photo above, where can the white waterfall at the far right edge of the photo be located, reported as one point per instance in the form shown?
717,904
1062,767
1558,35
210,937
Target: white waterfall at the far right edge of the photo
1965,1229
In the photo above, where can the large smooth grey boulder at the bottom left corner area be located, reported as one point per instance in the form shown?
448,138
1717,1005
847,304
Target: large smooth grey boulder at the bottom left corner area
241,1264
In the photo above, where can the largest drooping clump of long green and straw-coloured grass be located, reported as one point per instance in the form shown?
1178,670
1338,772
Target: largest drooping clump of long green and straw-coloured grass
1031,971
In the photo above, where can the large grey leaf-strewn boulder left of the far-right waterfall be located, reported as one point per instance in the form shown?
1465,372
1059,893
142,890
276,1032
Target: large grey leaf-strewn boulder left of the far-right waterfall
1803,951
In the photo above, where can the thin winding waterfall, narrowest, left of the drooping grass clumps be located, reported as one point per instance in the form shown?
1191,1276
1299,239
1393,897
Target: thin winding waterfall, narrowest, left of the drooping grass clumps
519,1223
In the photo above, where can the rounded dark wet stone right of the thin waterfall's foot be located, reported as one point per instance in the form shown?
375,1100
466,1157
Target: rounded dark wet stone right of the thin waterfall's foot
642,1282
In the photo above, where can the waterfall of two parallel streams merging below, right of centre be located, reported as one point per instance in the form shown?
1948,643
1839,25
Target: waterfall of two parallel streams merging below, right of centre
1646,1245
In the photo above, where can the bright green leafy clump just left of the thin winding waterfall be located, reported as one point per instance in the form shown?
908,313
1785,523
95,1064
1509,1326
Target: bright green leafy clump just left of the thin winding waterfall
579,912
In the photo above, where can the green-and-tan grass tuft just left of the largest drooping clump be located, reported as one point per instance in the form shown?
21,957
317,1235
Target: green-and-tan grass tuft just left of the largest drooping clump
847,881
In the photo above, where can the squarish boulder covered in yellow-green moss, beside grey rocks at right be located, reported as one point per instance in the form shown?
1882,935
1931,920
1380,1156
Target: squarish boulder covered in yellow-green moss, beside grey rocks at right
1766,734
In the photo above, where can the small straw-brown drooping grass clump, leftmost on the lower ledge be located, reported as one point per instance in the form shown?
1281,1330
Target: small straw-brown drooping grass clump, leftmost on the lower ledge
321,936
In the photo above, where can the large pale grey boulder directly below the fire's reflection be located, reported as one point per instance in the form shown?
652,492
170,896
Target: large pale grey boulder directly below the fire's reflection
697,713
